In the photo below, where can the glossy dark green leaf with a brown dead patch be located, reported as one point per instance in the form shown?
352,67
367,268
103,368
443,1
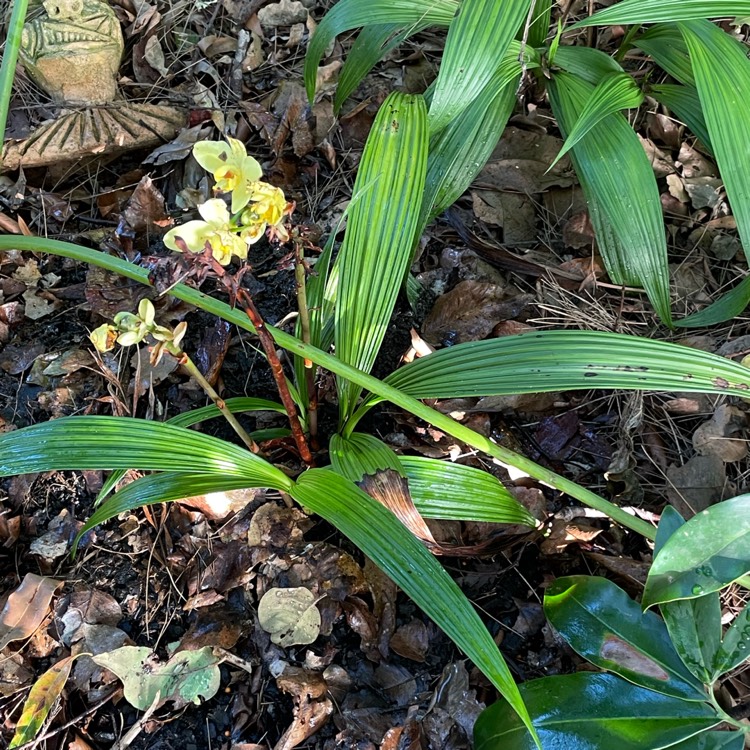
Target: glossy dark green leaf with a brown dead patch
605,626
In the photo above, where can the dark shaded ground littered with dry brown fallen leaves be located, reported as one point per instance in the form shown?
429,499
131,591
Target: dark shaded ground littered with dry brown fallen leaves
515,253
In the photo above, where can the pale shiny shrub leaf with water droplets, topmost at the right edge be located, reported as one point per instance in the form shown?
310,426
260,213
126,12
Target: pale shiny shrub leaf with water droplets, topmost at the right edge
704,555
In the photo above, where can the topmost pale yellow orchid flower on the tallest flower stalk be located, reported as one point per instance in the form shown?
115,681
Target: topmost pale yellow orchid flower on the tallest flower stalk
233,170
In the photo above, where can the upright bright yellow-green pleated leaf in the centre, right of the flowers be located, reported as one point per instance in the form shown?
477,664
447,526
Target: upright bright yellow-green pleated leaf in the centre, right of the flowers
380,234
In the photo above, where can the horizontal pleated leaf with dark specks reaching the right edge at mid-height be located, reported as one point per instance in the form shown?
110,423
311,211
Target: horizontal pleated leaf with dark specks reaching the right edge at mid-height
568,360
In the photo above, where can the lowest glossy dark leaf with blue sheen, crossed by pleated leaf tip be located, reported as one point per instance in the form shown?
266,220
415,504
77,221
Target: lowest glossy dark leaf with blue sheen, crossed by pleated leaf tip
589,711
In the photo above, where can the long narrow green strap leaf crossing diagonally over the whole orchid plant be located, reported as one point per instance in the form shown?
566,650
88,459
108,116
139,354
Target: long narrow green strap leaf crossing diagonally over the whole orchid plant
332,363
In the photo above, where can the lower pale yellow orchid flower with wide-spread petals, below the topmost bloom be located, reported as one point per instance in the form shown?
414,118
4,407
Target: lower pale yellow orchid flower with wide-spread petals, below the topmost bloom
216,230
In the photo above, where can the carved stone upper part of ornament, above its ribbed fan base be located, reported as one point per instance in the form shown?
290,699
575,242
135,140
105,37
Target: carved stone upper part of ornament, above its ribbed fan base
73,51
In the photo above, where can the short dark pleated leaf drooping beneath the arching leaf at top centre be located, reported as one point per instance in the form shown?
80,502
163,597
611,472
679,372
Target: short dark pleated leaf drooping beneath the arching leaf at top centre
373,43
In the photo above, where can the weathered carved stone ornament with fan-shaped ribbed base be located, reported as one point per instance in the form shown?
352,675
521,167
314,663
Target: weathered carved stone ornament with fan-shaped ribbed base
72,50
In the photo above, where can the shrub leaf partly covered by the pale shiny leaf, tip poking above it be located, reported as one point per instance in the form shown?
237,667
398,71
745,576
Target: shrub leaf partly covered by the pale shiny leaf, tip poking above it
694,625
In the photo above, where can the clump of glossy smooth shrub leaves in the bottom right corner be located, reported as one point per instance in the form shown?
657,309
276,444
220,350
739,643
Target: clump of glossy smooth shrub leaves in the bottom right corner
664,672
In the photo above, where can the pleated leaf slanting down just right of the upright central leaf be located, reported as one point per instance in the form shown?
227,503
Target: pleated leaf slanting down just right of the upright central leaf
461,149
